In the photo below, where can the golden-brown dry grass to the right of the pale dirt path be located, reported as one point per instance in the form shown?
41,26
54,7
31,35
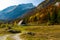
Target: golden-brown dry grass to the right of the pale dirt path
42,33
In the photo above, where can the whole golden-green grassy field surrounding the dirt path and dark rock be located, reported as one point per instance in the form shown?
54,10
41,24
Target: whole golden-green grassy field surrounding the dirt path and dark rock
34,32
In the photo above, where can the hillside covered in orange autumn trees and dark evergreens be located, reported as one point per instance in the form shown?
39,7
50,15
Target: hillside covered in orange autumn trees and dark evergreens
48,14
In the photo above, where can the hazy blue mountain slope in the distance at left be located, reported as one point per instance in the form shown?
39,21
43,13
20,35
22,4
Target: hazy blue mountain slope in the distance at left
14,12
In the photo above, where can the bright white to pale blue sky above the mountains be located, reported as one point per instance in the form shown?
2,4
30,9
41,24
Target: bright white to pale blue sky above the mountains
6,3
